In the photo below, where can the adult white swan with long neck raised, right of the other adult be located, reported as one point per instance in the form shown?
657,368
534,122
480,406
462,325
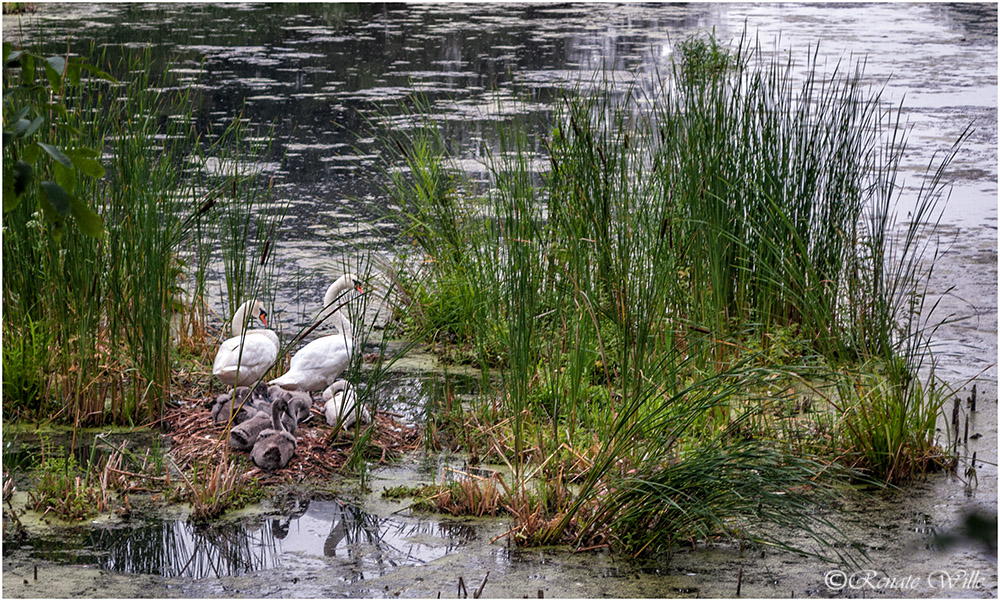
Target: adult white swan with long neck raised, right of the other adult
322,360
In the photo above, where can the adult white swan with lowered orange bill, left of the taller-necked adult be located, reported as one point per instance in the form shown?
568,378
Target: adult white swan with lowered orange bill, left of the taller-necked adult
243,359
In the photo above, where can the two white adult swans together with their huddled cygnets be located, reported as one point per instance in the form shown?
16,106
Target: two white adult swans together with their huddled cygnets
264,417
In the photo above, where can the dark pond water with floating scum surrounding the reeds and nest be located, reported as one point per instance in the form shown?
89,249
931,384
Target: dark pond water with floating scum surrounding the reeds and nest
321,72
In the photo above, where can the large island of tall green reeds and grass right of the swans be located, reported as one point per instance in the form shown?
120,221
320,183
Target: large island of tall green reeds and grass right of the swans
692,250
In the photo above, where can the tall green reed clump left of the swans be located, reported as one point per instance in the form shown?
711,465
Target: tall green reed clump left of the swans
89,322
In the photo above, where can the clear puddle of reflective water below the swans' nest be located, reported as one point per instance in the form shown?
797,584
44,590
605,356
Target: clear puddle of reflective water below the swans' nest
359,545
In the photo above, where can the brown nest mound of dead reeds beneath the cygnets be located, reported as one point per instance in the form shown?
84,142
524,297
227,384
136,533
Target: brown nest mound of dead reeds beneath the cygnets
319,453
